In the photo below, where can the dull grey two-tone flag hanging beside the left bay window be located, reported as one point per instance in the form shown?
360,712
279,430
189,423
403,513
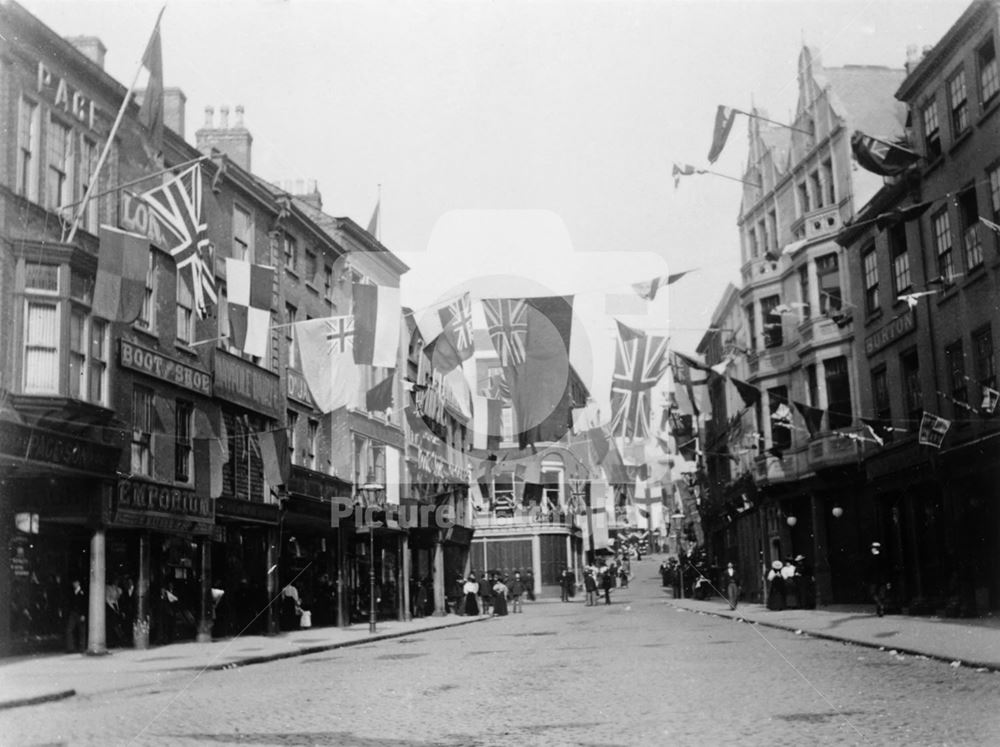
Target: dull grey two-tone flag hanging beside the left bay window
120,287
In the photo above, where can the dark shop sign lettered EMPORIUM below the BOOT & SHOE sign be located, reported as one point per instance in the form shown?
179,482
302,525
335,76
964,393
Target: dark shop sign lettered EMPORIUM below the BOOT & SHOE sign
162,507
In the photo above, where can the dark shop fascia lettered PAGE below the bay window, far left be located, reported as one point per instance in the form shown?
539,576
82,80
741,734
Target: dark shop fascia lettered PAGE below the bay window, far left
46,447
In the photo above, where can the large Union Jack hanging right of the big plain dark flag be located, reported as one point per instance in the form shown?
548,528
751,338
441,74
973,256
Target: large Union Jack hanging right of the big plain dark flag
640,361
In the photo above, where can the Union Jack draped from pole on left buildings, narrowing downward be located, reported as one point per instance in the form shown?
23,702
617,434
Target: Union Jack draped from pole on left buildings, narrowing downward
176,206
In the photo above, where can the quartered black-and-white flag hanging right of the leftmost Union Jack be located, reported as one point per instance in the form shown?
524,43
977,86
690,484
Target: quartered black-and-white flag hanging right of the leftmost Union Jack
249,289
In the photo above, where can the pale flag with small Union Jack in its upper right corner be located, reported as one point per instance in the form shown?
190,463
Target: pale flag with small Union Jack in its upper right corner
326,349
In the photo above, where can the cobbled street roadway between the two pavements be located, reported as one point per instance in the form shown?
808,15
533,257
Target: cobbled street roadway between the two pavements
639,671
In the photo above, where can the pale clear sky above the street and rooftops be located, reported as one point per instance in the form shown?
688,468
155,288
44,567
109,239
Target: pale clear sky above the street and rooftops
518,139
